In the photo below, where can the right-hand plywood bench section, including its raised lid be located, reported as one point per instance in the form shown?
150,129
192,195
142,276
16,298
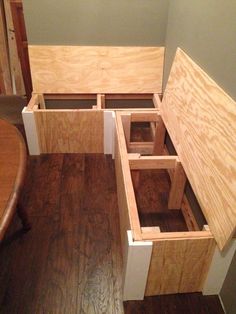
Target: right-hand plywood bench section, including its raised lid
200,120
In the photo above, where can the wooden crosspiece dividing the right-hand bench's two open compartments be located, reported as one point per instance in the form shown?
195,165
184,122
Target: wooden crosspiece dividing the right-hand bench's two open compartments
152,162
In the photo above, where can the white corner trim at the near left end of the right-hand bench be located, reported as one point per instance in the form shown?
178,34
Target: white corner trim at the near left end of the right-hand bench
136,262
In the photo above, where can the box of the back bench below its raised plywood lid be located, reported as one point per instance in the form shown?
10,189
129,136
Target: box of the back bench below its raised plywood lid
45,129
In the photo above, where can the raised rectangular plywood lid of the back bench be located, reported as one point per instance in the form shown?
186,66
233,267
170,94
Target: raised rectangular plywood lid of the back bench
83,69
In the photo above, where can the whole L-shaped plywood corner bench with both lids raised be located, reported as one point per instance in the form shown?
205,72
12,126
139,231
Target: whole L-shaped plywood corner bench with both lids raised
189,152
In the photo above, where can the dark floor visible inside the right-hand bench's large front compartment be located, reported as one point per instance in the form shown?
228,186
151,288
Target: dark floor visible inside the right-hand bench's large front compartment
152,189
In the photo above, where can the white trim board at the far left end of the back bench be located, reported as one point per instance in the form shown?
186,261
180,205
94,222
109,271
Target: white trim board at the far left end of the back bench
31,131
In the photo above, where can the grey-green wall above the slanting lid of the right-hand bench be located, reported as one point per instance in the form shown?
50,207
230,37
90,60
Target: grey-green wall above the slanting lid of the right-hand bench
206,30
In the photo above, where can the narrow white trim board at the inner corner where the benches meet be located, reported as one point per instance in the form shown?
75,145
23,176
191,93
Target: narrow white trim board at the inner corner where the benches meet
109,132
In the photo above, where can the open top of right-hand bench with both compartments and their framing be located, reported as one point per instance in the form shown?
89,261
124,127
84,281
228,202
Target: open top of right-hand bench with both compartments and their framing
158,179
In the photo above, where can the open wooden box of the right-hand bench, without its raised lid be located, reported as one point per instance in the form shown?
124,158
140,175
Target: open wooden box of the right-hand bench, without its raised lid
151,188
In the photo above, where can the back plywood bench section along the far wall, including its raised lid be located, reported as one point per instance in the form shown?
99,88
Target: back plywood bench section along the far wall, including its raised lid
90,82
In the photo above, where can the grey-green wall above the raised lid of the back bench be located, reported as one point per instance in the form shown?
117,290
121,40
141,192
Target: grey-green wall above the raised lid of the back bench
96,22
